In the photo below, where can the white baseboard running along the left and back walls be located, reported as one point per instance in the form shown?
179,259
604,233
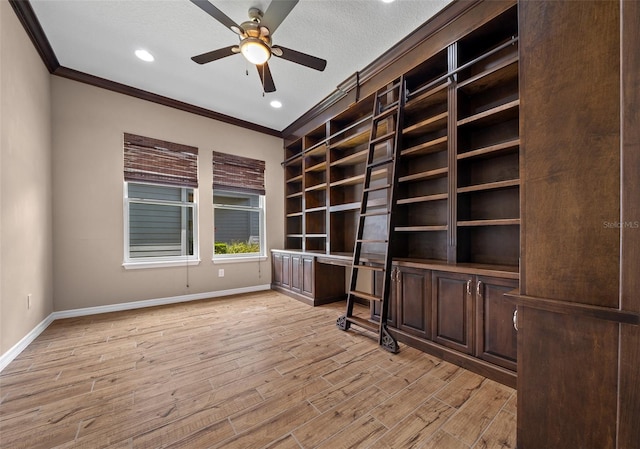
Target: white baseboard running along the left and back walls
15,351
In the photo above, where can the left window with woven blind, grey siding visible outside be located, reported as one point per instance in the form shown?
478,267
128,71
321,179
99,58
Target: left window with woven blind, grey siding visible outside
160,205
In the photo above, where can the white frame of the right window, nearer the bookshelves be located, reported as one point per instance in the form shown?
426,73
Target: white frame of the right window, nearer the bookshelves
261,209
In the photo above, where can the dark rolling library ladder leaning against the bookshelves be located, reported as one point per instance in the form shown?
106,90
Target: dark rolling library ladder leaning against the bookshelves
373,245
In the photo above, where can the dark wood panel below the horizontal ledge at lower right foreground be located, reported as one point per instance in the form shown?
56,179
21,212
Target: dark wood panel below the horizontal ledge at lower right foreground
567,381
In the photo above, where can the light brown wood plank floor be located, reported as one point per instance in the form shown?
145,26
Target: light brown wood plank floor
251,371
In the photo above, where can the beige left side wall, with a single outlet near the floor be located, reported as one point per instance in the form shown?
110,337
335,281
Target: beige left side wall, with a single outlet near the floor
25,184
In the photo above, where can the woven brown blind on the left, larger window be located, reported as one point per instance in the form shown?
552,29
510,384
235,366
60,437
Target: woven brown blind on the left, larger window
159,162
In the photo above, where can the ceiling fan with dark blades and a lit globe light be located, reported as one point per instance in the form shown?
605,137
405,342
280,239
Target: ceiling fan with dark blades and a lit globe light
255,39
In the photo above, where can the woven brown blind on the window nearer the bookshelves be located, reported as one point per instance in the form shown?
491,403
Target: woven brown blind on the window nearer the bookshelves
238,174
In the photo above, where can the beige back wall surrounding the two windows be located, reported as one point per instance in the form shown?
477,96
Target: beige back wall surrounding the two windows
88,125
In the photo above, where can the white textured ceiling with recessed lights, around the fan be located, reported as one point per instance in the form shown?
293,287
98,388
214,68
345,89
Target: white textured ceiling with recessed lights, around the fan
99,37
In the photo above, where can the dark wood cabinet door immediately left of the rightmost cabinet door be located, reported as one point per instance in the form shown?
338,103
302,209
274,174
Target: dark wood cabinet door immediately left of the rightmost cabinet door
453,310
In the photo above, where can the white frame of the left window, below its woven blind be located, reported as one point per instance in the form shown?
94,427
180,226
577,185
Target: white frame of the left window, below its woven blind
162,261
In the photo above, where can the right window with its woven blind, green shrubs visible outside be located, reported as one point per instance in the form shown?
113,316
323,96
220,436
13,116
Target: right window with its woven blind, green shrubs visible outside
238,207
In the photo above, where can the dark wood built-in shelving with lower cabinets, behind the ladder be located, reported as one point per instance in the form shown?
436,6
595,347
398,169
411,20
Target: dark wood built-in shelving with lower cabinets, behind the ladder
456,245
